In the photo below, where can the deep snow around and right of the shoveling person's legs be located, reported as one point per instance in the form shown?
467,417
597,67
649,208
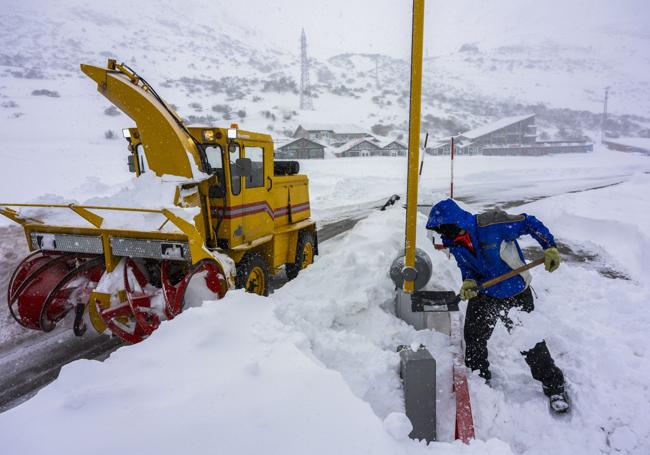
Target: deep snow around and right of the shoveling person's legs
595,326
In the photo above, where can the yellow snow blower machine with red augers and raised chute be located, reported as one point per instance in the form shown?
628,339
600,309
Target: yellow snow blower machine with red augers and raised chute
128,269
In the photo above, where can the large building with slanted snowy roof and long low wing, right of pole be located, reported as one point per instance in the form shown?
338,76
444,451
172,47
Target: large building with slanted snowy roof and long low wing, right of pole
507,136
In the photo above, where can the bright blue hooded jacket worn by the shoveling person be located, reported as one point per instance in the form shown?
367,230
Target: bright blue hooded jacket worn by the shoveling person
488,231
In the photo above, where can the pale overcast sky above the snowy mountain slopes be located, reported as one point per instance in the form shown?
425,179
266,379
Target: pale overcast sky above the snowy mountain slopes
335,26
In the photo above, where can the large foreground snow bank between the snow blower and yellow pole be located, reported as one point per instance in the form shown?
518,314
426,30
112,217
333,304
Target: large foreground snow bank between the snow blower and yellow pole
249,375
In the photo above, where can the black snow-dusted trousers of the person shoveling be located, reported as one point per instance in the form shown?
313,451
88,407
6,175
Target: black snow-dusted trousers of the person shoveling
482,314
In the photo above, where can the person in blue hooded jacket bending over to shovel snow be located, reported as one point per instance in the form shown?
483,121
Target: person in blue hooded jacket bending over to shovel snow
485,247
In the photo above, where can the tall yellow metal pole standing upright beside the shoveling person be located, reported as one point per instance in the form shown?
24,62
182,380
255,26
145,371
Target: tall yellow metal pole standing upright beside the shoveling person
417,44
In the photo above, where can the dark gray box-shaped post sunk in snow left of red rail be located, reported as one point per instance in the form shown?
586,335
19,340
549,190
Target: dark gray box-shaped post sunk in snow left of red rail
418,372
